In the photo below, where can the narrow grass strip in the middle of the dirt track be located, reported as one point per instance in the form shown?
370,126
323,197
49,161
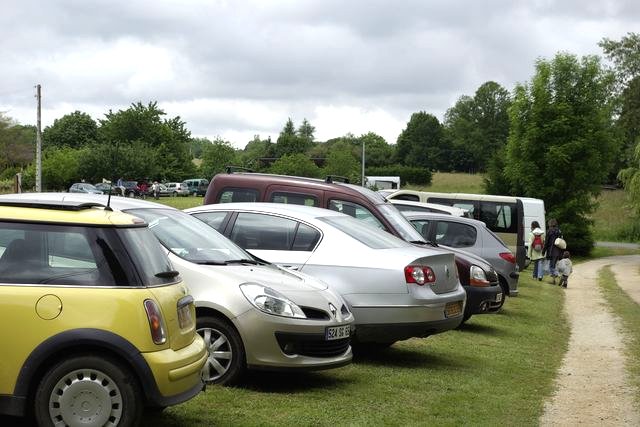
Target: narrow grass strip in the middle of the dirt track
628,311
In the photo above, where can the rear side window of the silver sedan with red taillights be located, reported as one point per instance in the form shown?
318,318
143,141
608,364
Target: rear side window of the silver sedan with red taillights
268,232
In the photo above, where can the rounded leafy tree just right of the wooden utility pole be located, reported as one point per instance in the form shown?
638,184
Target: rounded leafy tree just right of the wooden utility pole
73,130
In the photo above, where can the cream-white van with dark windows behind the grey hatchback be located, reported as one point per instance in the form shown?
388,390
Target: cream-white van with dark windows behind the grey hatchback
509,217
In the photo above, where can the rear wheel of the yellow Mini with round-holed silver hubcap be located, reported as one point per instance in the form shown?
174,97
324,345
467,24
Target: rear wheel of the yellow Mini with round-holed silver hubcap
90,391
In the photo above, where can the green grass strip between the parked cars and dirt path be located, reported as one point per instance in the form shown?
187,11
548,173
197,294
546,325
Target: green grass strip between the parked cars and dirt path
496,370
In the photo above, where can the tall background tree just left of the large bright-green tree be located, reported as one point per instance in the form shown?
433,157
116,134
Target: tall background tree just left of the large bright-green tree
478,127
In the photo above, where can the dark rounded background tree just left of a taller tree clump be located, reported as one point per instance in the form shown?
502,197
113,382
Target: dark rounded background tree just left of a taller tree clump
422,143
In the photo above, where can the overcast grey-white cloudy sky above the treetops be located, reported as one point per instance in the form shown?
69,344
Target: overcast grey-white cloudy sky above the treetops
236,69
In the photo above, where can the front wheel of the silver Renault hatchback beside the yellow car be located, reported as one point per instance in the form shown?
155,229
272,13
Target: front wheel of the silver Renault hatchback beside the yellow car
226,362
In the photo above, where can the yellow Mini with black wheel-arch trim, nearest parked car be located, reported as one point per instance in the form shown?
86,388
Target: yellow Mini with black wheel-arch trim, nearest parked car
95,324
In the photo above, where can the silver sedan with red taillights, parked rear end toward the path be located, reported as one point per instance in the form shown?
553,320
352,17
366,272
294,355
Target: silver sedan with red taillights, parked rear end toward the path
395,290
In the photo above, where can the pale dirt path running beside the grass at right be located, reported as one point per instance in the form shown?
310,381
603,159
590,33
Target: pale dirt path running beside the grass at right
591,386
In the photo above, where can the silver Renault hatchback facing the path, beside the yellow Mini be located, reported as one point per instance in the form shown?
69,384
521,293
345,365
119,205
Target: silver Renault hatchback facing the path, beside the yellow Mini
253,315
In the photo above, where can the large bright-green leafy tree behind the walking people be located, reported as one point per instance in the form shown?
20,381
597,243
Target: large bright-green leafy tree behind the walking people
562,142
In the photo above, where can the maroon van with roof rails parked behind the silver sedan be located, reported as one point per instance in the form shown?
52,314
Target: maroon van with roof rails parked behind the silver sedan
477,276
